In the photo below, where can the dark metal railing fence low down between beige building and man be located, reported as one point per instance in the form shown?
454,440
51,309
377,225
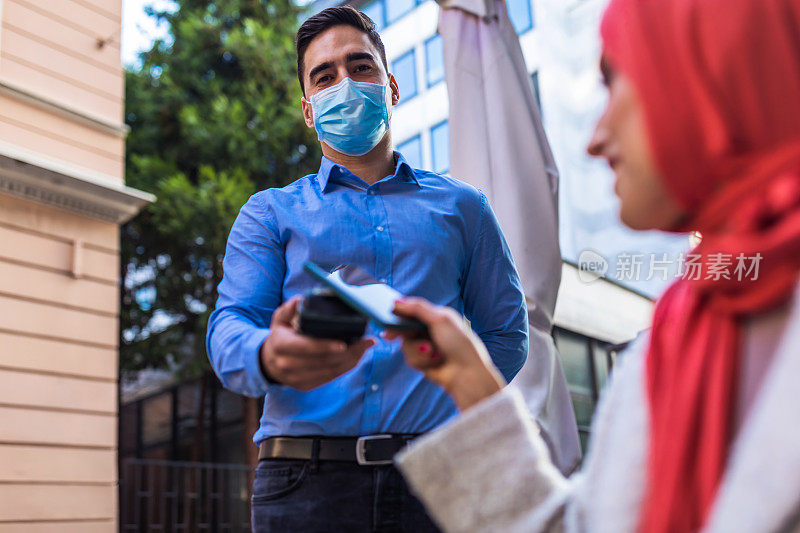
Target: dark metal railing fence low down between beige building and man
184,496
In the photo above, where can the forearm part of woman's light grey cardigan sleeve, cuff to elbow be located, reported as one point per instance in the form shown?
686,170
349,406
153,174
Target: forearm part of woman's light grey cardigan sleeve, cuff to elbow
488,470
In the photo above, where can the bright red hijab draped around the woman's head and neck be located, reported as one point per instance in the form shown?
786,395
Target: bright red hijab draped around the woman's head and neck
719,82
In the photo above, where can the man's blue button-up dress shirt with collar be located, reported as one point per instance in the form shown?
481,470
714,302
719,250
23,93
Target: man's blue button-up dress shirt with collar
425,234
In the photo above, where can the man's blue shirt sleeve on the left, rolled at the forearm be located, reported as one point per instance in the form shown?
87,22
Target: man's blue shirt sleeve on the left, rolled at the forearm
251,289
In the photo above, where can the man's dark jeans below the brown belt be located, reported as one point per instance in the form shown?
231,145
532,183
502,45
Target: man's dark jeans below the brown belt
294,497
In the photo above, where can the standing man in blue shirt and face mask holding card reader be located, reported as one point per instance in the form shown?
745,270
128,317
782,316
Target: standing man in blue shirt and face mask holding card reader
334,415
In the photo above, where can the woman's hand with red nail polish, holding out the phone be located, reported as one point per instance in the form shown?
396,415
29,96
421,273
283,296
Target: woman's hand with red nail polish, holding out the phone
454,357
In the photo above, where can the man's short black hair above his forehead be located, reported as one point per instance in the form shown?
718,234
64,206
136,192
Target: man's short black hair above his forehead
328,18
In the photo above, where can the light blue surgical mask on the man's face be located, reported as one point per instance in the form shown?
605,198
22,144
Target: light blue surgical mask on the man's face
352,116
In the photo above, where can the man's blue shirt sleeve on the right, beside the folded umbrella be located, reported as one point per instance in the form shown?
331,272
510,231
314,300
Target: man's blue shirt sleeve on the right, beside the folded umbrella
494,302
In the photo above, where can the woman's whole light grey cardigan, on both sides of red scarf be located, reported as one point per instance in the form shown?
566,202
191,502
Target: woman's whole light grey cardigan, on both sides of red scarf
489,470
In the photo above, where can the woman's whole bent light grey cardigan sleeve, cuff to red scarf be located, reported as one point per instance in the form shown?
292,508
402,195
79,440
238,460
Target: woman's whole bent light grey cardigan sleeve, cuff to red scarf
488,470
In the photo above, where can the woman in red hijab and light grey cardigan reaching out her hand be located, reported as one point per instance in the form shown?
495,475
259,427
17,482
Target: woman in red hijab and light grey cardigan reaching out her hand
698,429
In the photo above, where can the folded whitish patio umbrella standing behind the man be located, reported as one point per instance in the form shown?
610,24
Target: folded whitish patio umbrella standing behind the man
497,144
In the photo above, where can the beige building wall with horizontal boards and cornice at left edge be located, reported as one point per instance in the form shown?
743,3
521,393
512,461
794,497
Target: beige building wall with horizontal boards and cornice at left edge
62,198
